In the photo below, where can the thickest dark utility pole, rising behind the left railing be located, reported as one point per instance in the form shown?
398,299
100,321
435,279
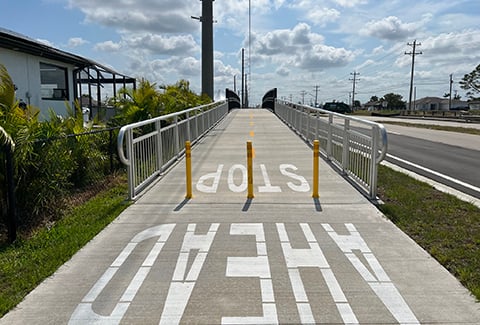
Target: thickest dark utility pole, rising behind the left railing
207,47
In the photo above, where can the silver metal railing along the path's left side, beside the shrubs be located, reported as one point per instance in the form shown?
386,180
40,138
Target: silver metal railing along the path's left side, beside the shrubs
149,147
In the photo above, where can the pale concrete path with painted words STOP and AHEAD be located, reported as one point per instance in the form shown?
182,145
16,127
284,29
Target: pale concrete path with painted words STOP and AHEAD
281,257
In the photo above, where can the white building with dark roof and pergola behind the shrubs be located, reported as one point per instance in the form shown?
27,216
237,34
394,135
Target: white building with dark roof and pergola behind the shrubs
48,78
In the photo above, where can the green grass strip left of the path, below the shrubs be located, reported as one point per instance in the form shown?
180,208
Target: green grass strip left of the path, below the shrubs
29,261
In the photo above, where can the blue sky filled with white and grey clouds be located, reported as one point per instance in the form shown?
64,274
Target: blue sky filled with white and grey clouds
298,46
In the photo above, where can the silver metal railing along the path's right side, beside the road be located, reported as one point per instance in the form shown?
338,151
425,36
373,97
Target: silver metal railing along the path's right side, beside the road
354,145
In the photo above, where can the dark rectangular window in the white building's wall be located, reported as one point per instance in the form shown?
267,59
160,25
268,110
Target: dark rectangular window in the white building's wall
53,83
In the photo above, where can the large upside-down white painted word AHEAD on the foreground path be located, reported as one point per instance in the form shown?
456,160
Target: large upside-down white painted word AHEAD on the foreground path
196,248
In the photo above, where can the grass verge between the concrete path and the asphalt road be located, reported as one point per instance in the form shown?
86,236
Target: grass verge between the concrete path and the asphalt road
446,227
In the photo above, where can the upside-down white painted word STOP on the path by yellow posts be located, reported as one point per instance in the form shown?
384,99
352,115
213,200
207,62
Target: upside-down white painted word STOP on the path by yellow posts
237,180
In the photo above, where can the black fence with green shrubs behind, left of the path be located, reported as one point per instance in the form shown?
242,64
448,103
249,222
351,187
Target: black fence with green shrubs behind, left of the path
47,175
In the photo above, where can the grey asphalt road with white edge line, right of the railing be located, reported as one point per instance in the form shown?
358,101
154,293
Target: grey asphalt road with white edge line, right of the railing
447,157
